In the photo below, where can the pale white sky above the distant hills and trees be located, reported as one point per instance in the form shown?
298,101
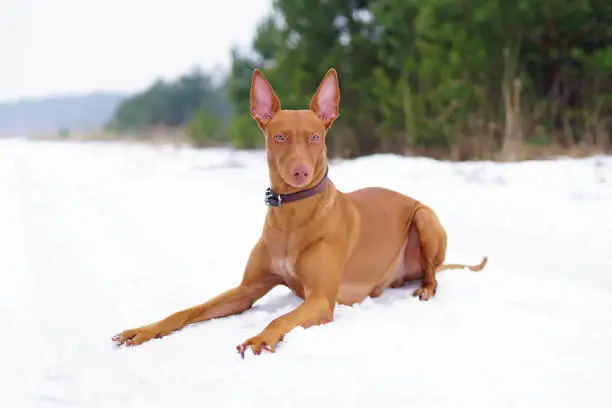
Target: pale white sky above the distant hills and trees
52,47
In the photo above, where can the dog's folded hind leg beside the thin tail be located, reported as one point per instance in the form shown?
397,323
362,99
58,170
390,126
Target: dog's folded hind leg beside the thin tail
432,238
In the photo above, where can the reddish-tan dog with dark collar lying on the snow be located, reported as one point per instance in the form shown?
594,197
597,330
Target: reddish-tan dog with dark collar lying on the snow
328,247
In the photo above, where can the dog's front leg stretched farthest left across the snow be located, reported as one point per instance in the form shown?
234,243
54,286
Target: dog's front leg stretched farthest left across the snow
256,282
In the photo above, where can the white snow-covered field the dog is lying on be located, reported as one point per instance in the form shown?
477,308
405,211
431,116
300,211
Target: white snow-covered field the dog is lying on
97,238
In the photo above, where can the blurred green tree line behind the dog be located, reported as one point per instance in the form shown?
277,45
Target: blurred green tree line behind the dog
461,79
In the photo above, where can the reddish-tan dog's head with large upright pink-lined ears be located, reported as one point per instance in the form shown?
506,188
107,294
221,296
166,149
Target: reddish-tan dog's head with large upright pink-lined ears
295,139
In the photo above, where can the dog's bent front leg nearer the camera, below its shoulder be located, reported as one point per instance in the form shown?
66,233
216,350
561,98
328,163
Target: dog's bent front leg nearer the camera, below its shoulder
319,270
